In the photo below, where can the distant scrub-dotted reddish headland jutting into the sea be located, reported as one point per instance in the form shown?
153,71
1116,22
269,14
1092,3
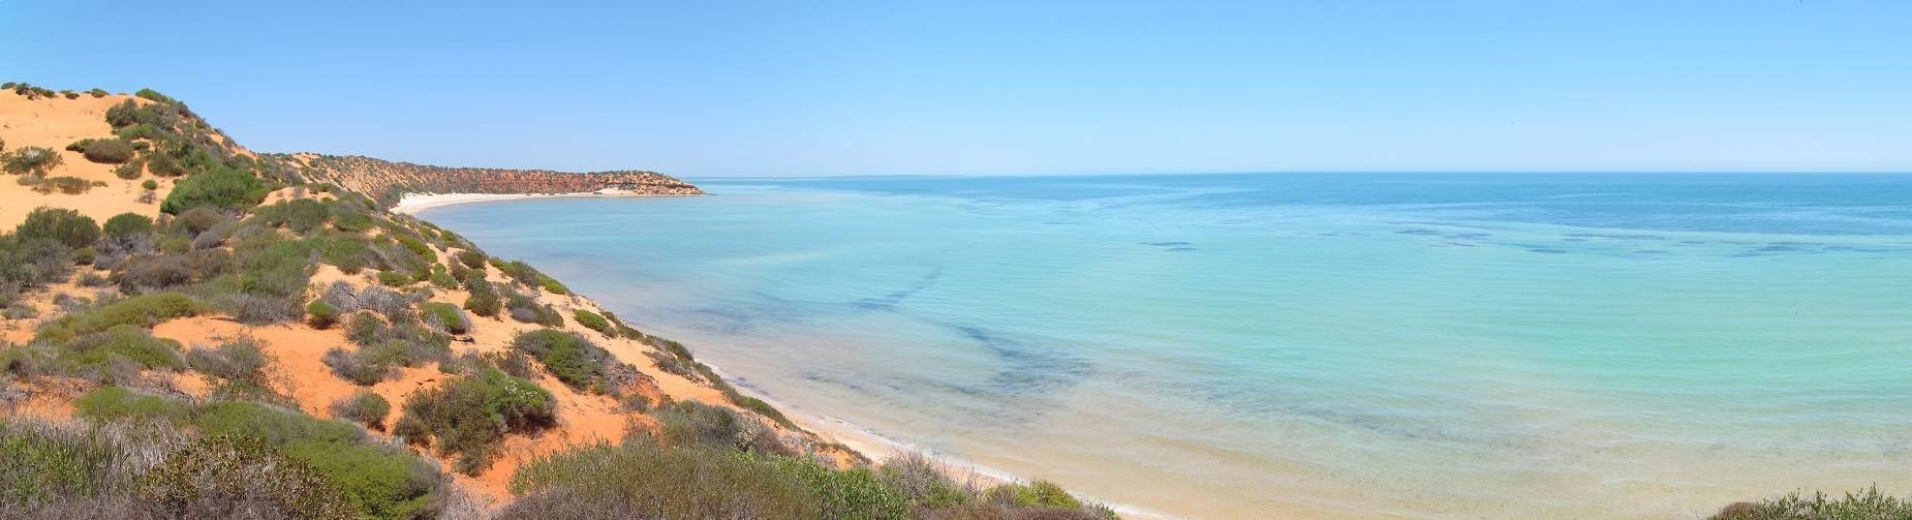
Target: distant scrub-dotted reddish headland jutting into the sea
387,181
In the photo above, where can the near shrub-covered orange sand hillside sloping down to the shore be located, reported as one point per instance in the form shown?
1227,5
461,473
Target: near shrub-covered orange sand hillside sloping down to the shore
196,332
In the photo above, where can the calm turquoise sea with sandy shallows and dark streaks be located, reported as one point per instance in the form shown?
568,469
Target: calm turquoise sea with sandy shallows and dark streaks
1299,345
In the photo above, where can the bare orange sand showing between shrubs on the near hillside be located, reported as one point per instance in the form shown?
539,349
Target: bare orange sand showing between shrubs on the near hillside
295,347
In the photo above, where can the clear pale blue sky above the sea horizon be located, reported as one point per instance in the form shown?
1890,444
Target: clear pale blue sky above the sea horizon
831,89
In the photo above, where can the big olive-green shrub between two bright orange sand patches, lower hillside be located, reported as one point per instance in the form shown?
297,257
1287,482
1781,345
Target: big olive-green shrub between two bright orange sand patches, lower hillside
471,416
